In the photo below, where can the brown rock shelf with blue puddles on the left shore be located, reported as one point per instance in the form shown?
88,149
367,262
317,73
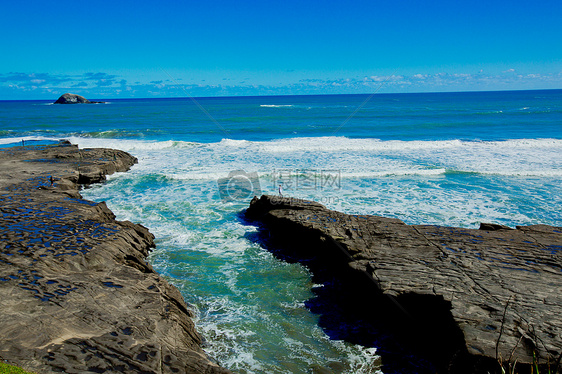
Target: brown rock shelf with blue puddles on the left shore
76,293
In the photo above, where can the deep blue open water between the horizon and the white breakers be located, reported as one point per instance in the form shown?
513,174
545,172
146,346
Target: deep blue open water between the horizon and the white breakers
433,116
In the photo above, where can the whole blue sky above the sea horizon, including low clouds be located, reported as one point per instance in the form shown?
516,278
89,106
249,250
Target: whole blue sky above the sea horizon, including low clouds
126,49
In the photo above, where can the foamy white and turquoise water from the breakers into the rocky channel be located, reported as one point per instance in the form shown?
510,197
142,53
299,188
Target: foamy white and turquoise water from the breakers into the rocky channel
255,316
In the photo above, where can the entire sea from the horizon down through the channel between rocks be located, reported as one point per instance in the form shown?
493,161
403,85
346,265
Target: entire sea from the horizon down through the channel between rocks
438,158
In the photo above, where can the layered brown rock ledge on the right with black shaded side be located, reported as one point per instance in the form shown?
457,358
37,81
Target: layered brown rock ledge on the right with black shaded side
476,296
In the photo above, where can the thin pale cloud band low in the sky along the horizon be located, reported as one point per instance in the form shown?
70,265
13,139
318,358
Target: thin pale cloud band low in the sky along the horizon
102,85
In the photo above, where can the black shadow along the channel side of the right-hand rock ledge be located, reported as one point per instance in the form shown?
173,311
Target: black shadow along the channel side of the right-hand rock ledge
350,311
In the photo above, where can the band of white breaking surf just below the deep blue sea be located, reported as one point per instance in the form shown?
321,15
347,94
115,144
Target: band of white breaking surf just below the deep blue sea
353,158
